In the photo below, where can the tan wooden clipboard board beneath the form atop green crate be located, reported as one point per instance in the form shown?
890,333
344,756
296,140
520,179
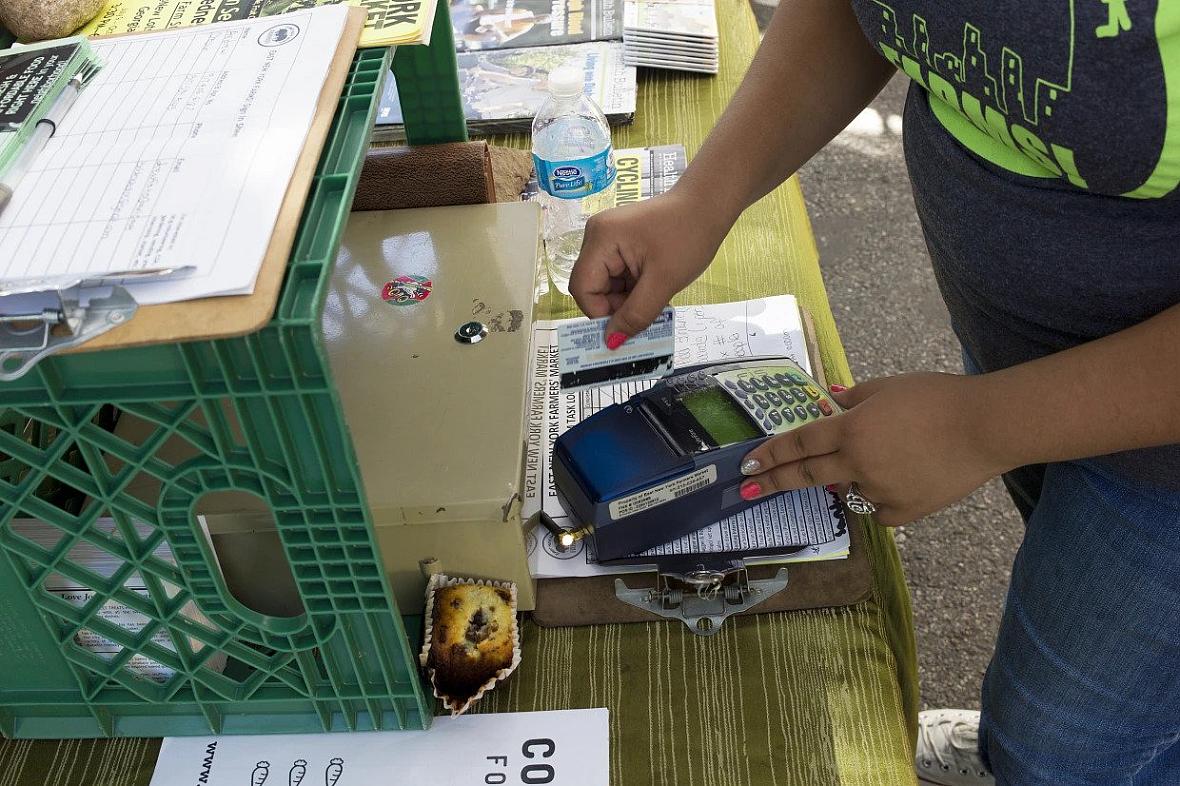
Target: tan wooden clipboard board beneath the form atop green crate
227,317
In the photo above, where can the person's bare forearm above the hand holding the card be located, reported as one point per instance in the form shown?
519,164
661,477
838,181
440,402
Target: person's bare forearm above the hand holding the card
812,75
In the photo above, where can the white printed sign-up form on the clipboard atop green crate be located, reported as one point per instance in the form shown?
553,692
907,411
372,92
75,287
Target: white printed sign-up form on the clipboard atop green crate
179,155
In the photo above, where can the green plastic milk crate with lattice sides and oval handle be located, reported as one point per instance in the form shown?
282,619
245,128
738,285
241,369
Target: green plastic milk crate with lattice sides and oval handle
115,615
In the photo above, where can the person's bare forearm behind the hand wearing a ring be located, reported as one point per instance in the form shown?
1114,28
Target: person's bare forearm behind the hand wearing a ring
1118,394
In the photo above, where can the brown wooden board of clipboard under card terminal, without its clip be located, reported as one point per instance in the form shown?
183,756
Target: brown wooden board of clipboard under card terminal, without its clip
571,602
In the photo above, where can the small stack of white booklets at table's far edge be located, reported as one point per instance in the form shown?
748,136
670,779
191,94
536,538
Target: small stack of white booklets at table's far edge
677,35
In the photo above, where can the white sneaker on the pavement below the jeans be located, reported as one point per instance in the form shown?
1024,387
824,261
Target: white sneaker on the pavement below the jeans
949,750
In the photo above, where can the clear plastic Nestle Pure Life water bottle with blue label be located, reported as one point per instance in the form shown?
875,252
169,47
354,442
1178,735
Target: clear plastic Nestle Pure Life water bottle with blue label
575,169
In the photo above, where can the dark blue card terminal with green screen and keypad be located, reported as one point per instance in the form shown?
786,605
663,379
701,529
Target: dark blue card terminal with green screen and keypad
668,461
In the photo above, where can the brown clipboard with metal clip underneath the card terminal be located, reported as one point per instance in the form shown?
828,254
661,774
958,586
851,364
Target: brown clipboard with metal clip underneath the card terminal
599,600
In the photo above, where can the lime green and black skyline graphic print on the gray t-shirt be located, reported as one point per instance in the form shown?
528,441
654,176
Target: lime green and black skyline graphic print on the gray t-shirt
1086,91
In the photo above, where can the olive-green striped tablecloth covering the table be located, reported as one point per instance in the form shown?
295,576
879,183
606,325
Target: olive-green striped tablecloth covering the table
808,699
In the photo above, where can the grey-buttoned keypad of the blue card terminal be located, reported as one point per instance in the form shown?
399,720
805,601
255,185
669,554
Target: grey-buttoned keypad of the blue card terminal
778,398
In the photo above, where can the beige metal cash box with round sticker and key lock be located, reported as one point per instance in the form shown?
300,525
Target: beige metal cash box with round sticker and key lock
427,325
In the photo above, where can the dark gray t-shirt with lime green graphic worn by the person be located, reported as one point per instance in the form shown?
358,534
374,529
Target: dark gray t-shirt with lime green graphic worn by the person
1044,146
